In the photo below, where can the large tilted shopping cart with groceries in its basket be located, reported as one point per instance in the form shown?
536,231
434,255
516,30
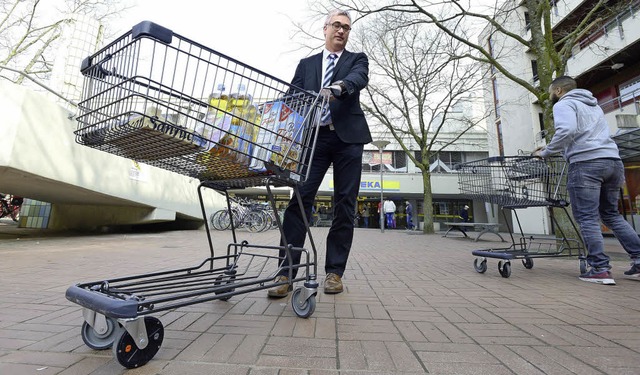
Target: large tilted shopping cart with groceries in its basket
162,99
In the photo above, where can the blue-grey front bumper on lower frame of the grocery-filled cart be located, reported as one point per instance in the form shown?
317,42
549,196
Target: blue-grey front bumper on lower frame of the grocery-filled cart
101,303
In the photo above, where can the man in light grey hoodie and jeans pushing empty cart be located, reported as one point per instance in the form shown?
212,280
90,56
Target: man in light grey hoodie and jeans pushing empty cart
596,174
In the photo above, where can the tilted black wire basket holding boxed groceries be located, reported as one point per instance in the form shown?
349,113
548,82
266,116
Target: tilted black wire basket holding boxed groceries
162,99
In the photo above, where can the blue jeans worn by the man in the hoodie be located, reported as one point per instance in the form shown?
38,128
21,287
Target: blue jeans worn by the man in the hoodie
594,190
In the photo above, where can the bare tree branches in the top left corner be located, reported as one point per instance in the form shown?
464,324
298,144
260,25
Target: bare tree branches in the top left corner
31,29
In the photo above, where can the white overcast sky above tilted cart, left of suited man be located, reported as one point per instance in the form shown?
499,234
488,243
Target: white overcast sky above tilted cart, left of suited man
256,32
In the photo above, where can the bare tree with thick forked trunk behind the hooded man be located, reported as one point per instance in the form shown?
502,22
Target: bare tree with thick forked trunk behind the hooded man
550,48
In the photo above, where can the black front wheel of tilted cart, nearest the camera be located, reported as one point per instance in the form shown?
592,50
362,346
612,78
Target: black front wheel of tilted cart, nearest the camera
126,350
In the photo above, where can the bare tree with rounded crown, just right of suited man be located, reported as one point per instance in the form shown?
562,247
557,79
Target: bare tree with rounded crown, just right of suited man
419,90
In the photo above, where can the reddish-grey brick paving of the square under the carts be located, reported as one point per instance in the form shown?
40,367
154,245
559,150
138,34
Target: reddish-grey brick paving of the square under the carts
413,304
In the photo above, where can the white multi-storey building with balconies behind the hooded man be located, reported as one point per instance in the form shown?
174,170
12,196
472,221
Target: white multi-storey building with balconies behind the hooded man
603,60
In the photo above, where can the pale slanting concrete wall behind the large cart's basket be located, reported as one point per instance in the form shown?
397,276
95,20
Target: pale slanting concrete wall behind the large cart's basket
39,159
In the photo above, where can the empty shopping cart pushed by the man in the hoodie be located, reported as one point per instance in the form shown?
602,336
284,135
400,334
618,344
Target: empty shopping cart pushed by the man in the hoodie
520,182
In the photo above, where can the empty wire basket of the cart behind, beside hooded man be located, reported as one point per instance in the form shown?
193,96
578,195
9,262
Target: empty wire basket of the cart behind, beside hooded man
515,181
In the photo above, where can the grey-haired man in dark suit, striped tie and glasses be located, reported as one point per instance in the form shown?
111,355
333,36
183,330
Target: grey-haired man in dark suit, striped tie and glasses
342,134
